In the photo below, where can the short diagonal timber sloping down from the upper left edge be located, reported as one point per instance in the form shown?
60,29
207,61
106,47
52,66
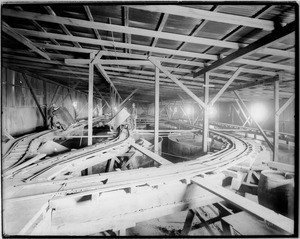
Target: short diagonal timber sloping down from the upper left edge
22,39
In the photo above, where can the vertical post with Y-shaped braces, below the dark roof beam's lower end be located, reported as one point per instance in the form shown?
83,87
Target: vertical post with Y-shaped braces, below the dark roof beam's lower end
205,113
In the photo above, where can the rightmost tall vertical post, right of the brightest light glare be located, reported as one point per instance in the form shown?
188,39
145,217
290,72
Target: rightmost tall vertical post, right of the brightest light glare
276,120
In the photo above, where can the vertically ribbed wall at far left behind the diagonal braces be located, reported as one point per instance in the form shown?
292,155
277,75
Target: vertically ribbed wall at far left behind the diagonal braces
20,113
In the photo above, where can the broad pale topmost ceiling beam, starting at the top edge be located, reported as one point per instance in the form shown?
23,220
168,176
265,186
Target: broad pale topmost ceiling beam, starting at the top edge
208,15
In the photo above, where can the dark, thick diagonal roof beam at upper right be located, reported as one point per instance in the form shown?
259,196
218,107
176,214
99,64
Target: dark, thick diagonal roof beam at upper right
275,36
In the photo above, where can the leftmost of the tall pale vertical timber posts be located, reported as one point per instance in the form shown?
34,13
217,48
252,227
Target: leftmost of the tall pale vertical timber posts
90,103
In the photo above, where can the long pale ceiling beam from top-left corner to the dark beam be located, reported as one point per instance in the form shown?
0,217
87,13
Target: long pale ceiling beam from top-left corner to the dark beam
122,29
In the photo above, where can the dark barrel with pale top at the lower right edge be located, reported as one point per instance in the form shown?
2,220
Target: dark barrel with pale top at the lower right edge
276,192
